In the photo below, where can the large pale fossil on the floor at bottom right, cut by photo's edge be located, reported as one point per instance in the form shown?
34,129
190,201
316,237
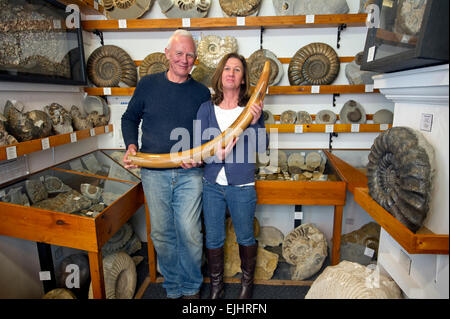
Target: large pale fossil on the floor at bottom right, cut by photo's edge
349,280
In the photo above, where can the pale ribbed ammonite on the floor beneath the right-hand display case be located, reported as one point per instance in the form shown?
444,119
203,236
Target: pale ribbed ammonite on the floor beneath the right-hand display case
306,248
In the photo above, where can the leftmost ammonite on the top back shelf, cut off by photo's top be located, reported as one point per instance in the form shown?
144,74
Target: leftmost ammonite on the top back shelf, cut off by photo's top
126,9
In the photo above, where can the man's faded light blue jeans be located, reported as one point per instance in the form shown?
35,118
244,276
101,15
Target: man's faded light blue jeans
174,200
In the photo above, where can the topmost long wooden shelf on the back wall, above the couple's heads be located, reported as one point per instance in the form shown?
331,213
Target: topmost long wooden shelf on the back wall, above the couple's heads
298,21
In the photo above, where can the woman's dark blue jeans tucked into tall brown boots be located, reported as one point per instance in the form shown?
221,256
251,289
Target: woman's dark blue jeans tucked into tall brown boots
241,202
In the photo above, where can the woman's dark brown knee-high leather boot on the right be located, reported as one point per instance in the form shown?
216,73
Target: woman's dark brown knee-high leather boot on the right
248,264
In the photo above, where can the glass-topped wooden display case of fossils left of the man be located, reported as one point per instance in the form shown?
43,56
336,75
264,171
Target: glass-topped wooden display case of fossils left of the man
67,205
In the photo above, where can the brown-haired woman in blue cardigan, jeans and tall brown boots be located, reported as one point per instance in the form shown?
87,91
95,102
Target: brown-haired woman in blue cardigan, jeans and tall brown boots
229,175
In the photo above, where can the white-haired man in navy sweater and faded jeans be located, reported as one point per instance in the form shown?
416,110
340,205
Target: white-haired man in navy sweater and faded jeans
167,102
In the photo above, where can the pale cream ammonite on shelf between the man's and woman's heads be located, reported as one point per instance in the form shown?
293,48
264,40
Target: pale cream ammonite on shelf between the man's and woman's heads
212,48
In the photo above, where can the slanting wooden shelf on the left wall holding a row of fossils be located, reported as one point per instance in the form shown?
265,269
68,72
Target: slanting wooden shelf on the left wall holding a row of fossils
54,140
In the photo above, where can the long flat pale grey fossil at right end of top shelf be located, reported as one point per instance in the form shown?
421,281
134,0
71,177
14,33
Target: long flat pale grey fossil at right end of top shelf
304,7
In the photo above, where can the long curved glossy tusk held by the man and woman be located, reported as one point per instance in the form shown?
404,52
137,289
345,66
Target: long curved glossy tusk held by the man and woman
206,150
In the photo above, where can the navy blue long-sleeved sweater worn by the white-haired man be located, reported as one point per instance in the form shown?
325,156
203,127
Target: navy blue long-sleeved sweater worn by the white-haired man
163,106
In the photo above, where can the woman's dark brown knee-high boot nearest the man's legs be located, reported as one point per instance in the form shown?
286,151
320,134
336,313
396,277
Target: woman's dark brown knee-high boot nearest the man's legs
215,267
